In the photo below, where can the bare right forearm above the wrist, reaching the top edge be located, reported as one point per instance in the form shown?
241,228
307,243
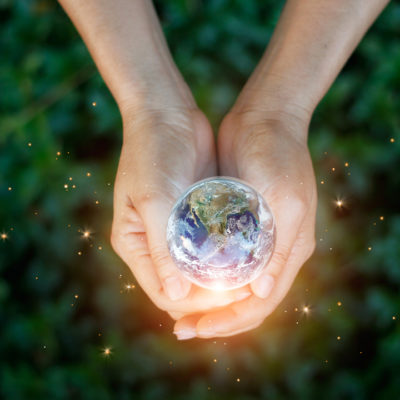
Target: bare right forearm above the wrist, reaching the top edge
310,45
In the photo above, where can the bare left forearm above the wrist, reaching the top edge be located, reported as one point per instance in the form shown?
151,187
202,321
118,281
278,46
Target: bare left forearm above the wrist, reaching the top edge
126,42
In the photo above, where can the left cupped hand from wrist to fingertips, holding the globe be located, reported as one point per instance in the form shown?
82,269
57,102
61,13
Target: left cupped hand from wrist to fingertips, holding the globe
163,152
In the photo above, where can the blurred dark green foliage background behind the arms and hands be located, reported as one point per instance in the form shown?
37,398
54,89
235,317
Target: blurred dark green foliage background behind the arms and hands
51,343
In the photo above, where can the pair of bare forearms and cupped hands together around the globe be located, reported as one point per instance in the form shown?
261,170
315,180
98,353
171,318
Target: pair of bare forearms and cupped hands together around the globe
168,144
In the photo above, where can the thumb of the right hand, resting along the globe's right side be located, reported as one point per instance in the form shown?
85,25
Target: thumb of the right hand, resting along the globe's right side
289,214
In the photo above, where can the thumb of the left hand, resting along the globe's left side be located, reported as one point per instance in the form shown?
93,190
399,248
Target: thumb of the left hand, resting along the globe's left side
154,210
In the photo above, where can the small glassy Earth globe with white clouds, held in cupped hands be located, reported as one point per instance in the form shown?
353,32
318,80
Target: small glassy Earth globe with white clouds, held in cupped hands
221,233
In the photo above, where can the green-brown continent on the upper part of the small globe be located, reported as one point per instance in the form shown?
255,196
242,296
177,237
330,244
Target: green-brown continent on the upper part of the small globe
213,205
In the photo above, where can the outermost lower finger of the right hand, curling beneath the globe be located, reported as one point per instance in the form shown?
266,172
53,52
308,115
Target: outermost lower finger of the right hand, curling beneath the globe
245,315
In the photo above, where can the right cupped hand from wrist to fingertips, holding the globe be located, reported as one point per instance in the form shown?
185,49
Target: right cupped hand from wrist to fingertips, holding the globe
270,152
